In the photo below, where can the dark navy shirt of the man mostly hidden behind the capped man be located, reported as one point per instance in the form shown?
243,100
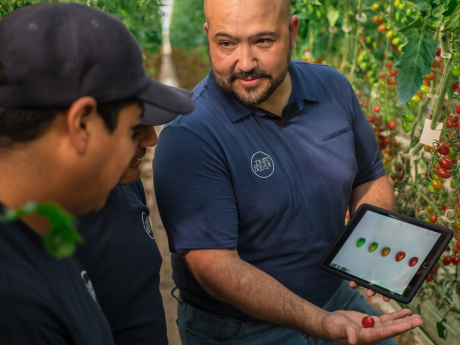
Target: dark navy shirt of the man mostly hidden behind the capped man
123,261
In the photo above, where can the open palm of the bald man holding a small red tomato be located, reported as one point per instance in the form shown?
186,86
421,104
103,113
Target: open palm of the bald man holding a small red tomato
345,326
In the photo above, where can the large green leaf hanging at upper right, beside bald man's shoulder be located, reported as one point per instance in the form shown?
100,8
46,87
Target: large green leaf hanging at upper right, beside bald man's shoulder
414,64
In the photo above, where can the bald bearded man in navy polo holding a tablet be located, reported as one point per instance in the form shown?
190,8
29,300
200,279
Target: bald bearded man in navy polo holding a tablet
254,185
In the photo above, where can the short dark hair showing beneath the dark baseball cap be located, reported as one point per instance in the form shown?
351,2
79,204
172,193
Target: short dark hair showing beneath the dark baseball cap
20,125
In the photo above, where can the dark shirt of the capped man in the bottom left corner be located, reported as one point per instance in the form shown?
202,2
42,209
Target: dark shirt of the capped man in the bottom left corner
42,300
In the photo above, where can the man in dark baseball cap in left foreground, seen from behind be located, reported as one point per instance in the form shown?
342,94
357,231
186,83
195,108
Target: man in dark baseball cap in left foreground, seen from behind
72,88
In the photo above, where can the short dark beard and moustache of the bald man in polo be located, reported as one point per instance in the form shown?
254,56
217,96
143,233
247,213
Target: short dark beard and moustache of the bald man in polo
250,96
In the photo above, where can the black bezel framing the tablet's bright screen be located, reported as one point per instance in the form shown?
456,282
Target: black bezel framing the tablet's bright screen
422,272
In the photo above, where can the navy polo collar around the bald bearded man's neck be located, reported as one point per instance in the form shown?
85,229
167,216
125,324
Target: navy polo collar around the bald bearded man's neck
301,91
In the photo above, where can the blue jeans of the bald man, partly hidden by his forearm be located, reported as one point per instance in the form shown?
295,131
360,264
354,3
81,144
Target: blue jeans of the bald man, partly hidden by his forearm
200,327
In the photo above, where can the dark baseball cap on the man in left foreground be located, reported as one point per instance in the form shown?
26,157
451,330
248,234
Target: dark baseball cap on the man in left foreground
55,53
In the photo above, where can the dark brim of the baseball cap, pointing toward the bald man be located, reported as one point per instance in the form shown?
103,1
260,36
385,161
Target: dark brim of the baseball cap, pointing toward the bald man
163,103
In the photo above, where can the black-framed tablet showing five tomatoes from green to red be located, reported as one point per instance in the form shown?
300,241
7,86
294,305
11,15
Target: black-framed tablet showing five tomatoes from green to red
387,252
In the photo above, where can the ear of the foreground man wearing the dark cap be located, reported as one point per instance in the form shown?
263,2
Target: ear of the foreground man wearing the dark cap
80,113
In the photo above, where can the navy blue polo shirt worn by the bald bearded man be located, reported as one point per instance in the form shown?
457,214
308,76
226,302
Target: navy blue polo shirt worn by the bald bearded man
226,176
